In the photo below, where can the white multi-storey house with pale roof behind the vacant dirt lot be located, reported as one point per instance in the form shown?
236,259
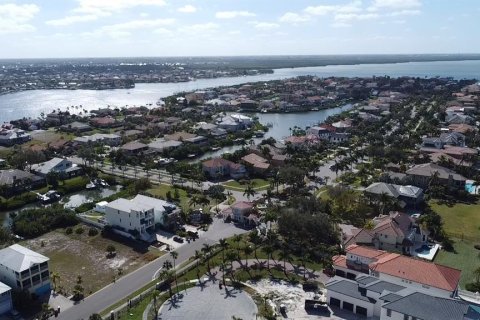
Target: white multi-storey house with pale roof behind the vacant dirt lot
131,217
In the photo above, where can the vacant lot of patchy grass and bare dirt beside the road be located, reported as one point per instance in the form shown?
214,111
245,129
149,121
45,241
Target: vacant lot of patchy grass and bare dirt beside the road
74,254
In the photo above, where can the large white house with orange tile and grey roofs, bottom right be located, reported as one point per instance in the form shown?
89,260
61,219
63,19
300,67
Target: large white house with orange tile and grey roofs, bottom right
369,282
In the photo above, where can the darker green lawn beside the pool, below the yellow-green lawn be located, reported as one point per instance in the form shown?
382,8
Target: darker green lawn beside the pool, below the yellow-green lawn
465,258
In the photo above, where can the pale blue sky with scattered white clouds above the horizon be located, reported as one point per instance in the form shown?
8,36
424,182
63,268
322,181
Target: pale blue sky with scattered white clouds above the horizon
124,28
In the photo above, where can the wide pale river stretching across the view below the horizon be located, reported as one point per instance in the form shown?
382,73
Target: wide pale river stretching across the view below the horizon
32,103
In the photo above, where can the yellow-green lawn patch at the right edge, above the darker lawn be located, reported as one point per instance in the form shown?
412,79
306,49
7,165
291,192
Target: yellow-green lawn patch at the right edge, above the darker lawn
461,221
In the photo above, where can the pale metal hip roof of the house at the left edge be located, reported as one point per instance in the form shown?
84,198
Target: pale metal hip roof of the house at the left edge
19,258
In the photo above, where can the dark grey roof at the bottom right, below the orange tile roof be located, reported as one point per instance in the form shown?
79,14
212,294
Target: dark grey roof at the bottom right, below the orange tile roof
426,307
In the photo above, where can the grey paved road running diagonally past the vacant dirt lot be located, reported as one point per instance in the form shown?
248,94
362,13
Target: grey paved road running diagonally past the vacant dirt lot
125,286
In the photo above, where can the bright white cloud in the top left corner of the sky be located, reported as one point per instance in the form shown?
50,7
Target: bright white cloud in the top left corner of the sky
15,18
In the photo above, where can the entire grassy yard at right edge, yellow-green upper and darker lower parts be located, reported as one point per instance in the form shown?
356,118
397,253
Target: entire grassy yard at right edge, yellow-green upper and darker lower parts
462,223
